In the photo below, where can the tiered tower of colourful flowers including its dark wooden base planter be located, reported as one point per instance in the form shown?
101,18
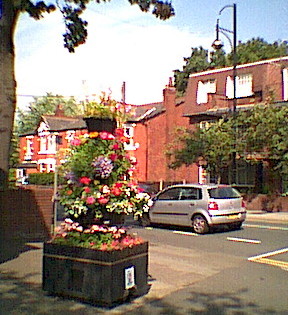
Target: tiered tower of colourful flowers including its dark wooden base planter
90,258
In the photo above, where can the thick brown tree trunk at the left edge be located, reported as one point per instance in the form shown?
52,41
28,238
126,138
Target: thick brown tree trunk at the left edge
7,85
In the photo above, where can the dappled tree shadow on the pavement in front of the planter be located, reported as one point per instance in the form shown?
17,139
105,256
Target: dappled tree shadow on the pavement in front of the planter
19,296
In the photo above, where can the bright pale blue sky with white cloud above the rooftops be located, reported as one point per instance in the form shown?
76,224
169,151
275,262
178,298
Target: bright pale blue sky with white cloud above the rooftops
125,44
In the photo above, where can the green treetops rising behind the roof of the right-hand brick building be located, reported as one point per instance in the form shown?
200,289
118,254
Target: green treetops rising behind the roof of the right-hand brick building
251,51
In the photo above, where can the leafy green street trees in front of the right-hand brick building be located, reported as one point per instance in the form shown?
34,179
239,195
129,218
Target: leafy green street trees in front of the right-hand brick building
257,133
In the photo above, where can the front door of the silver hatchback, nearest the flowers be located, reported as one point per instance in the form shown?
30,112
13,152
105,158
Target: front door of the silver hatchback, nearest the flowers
165,206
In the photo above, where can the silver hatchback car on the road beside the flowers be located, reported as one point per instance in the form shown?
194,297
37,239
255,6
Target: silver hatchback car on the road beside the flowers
198,206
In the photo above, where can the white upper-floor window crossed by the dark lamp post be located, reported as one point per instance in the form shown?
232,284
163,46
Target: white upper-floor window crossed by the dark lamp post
243,86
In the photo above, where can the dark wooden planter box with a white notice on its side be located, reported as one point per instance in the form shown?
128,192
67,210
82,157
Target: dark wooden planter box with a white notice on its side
104,278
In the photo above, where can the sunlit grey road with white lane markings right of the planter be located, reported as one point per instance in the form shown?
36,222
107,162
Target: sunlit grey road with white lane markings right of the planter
226,272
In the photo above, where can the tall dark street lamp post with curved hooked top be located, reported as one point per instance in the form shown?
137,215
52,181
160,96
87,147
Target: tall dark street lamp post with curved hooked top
217,44
